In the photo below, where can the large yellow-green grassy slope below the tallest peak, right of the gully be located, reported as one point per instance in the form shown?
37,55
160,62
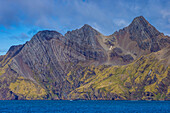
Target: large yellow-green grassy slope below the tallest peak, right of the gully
148,78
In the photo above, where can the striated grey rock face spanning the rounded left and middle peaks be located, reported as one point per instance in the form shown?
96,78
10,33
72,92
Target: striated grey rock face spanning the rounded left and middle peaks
49,56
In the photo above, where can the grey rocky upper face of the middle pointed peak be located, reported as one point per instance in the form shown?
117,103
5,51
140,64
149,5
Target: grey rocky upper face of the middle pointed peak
85,41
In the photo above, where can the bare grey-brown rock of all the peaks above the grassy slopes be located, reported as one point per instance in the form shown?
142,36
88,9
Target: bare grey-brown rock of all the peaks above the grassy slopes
48,57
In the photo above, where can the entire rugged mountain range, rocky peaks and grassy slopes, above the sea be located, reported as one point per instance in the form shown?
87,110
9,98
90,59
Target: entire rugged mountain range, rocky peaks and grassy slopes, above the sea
131,64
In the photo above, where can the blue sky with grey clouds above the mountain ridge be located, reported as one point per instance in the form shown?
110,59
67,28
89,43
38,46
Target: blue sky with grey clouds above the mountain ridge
21,19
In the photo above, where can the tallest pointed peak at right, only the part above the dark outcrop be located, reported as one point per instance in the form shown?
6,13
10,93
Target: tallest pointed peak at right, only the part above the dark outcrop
140,37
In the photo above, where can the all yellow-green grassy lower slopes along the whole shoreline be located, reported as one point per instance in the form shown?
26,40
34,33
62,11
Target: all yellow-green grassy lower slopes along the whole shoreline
147,78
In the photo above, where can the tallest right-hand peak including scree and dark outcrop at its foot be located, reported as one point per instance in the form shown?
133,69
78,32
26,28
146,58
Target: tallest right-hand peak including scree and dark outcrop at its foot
139,38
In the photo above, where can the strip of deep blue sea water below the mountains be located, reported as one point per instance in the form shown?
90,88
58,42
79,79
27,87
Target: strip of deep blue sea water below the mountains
55,106
